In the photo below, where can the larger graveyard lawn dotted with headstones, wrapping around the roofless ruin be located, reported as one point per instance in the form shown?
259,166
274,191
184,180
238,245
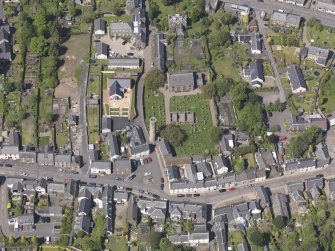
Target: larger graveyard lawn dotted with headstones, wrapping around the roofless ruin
197,134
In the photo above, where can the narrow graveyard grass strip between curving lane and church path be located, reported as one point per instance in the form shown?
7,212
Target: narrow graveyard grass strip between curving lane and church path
154,107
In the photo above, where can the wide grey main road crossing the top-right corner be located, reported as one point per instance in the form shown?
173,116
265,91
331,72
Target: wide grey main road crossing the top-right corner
270,5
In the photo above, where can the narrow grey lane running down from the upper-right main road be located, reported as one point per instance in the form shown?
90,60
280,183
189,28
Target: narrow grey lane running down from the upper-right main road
273,62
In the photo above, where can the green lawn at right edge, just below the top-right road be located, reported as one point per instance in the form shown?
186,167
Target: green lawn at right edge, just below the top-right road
323,39
